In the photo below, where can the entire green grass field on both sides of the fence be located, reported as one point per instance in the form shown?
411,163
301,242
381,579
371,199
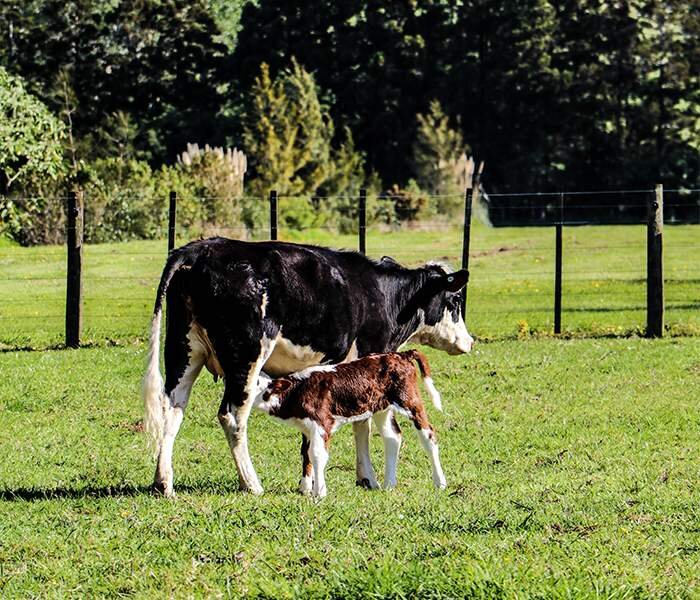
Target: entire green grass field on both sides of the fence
572,464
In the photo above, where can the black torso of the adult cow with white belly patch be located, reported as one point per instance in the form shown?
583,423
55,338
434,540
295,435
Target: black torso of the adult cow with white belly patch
313,300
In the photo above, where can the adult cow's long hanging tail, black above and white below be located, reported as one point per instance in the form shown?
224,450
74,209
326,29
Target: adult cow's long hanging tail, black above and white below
154,399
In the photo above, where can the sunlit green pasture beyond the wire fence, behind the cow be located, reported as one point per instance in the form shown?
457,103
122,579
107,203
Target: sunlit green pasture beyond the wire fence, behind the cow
510,292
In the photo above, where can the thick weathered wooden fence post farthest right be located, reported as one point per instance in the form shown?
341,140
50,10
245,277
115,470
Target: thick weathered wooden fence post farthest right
655,265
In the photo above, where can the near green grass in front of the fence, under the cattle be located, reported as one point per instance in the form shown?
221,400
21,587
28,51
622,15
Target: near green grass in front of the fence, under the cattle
572,468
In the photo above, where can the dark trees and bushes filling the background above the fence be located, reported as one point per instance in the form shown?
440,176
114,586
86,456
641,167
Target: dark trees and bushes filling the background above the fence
325,97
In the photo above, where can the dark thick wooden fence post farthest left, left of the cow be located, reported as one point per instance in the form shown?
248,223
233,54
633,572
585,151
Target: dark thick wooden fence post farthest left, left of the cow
74,283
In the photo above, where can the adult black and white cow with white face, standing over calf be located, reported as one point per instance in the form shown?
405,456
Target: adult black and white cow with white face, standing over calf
239,308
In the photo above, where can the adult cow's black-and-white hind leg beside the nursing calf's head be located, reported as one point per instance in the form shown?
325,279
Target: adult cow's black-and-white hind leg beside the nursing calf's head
239,394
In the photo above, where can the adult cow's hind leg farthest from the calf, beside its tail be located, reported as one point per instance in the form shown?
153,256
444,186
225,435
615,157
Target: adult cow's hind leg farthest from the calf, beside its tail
183,365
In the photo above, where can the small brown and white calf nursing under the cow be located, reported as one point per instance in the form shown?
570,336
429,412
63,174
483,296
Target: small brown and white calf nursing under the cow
318,400
